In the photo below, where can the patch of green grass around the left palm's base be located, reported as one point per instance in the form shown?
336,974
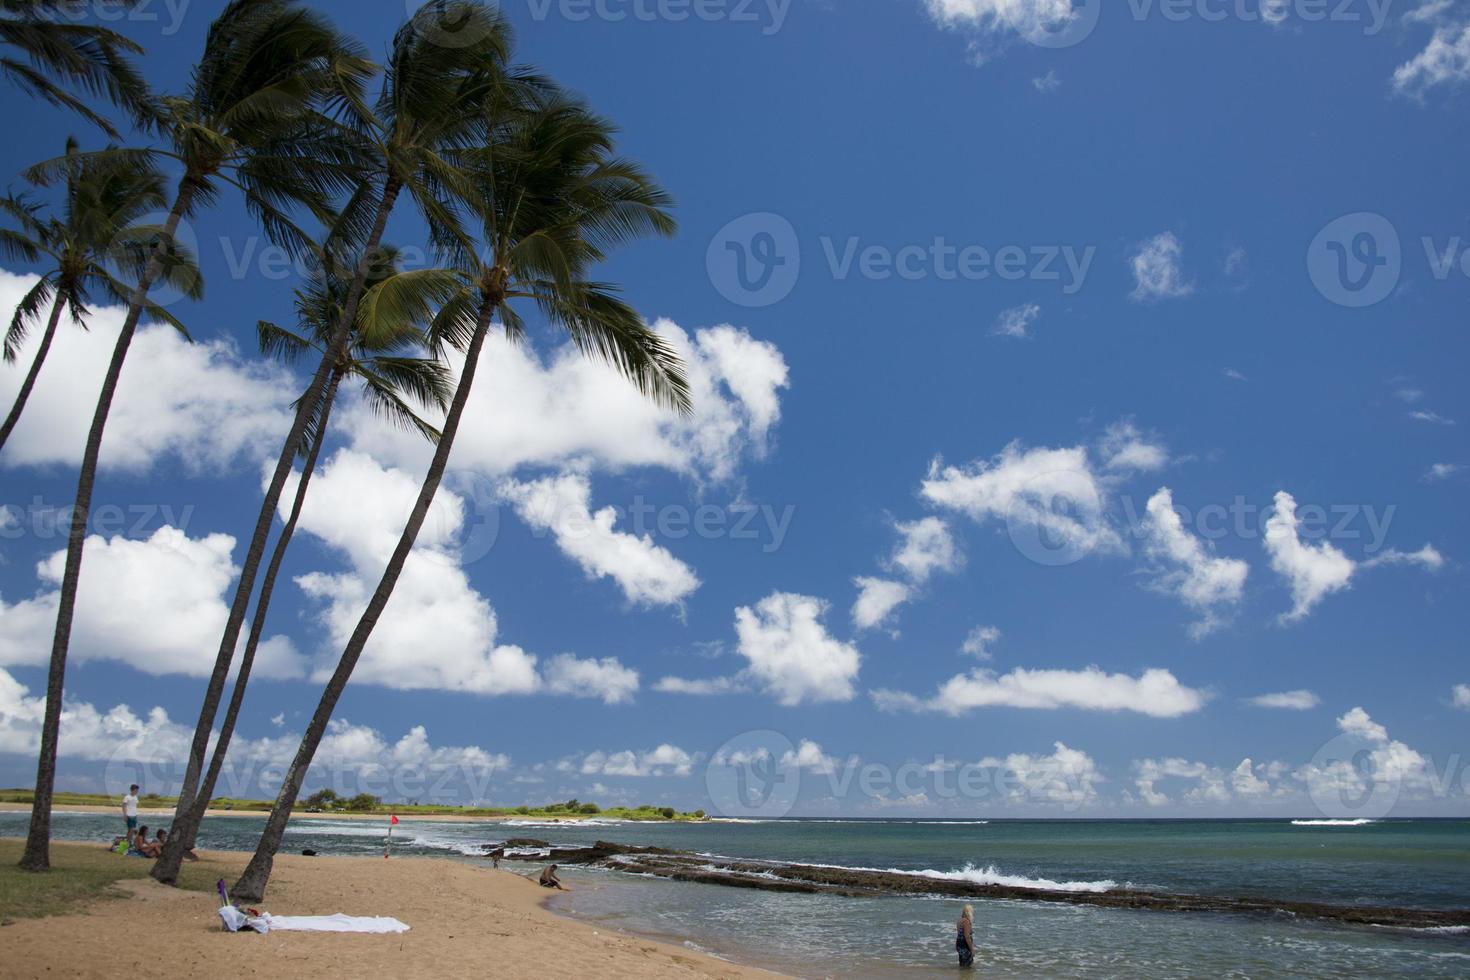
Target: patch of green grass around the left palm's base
80,873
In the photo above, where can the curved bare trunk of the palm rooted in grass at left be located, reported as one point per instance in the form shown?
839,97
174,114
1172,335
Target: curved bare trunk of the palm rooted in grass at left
39,838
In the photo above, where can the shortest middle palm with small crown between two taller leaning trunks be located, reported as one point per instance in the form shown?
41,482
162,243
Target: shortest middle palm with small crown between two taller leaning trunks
381,359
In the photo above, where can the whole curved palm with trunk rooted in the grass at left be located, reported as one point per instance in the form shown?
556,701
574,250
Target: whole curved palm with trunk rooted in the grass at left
248,121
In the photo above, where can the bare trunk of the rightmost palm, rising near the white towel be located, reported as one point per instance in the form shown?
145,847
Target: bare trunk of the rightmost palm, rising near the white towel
252,885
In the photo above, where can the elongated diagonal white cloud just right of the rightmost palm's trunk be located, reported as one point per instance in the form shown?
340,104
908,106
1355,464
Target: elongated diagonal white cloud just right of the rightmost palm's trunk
646,574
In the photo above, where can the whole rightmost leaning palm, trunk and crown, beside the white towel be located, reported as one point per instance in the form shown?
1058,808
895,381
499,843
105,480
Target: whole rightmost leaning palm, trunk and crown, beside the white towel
552,199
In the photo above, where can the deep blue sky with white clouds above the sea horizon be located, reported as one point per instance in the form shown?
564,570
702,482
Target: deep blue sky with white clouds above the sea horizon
1203,339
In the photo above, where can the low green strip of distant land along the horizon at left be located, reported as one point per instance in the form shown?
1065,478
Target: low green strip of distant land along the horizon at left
359,809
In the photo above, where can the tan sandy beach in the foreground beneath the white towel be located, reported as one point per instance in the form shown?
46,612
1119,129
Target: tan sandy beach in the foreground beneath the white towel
465,922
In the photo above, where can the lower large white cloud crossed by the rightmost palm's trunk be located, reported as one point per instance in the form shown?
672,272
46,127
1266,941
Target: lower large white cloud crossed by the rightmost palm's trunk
437,633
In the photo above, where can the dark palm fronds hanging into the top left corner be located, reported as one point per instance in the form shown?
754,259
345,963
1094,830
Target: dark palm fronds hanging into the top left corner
57,52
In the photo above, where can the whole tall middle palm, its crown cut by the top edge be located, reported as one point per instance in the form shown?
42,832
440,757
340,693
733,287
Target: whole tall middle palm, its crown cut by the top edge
430,107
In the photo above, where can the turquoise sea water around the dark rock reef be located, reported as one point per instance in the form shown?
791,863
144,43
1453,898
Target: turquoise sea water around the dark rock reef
1421,863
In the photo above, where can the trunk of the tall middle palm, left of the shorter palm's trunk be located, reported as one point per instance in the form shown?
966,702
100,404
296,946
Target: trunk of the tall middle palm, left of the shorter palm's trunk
167,871
